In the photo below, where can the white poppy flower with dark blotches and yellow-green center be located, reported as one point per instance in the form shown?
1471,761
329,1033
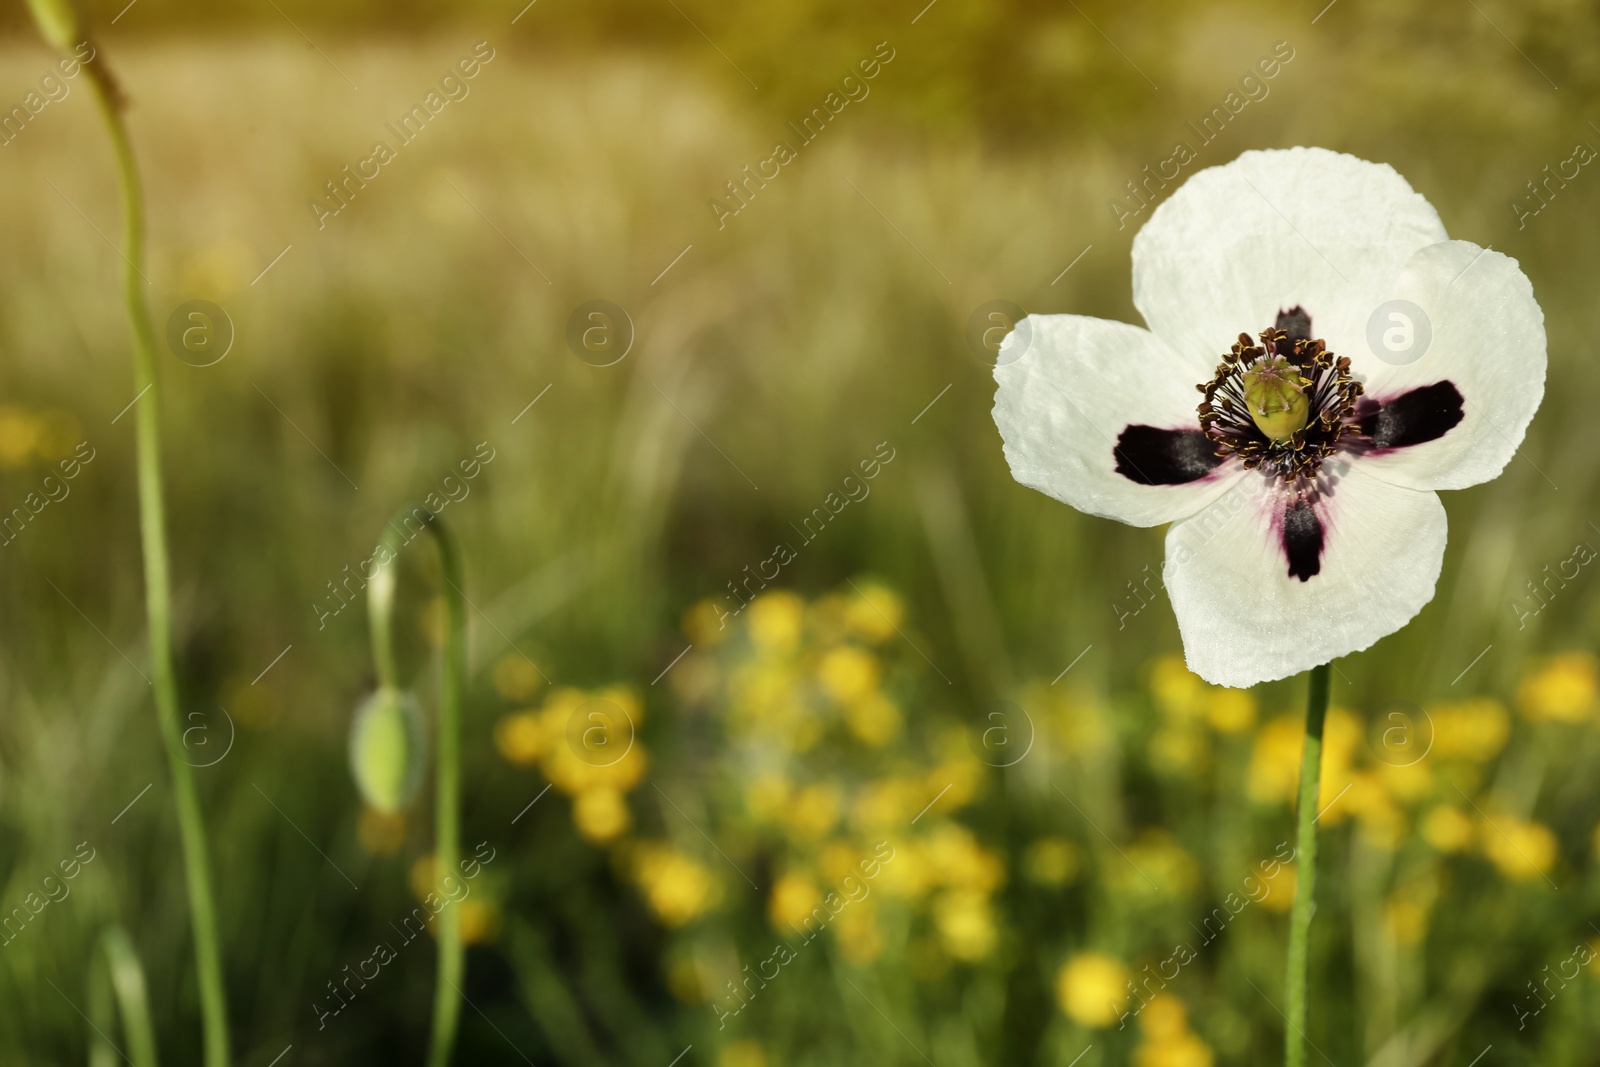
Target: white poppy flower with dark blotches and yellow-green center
1300,492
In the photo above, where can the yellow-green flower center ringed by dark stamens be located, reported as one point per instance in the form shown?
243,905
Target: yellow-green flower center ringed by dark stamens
1282,404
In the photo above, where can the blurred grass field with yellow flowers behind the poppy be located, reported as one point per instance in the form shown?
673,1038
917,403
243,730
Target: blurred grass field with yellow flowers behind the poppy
778,353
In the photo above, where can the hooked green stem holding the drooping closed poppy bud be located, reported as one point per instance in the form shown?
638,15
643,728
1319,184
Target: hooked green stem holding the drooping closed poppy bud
447,799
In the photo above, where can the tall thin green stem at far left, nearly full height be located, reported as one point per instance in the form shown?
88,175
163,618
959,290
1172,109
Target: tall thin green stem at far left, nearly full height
158,591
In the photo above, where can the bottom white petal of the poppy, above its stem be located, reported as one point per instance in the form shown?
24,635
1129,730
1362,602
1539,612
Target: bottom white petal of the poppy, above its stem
1244,620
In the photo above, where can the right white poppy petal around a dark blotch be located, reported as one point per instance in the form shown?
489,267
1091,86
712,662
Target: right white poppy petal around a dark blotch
1487,342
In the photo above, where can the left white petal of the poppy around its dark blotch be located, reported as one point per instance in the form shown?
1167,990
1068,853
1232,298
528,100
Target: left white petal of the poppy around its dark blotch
1068,388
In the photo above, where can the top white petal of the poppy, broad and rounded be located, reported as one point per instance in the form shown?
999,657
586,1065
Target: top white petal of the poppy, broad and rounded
1241,242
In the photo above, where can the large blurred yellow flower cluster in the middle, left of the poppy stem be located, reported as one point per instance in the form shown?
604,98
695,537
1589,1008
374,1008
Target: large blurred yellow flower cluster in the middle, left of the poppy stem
830,775
